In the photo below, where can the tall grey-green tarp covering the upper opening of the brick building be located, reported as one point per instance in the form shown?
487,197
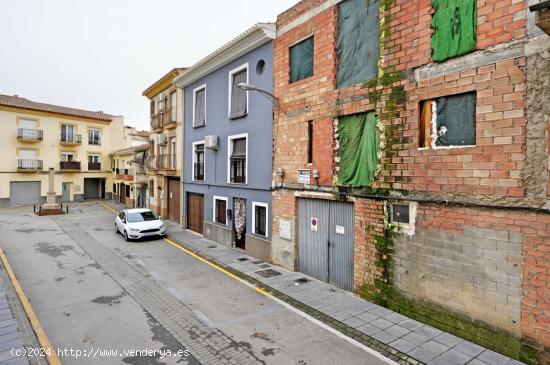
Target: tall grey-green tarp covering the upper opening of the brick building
358,44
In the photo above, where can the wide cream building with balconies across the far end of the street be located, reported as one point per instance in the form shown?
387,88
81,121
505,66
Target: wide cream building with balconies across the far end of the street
75,143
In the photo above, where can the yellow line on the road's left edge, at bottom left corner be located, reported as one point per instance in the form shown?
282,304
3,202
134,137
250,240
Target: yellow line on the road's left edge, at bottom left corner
35,323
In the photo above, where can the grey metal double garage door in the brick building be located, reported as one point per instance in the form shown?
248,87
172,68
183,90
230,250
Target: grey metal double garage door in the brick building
326,238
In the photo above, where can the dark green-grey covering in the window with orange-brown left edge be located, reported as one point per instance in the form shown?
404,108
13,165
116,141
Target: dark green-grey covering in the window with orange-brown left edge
456,120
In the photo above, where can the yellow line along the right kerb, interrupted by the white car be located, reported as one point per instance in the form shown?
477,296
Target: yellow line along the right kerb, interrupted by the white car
283,303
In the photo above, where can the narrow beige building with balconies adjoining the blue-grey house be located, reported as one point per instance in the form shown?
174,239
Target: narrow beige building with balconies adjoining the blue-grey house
164,159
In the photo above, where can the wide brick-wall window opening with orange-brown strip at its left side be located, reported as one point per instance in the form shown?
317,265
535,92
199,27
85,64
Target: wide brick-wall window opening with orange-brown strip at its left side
448,121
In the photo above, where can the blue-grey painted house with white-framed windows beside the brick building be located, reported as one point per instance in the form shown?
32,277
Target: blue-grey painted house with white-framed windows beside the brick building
228,143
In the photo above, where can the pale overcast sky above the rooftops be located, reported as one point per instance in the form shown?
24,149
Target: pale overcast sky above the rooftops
102,54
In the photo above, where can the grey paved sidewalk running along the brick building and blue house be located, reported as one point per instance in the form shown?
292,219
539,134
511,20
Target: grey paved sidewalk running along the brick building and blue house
421,342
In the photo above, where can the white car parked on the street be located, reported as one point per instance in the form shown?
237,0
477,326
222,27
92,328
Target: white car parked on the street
139,223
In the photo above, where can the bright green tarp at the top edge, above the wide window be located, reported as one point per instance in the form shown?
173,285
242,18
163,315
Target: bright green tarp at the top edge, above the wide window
454,22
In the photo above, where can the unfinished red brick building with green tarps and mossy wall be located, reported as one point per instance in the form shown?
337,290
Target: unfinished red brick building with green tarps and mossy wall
411,161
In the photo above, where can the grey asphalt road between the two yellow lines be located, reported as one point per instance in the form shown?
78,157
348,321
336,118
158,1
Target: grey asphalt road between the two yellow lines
104,297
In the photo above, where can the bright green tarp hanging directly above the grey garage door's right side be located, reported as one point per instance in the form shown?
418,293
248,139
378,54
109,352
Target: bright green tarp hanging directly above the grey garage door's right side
359,140
